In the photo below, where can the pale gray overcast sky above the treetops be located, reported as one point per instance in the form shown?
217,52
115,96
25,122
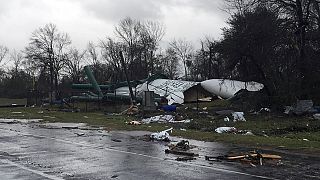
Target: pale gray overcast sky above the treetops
92,20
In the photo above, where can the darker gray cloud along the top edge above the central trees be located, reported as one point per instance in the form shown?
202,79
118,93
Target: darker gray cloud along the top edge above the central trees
112,10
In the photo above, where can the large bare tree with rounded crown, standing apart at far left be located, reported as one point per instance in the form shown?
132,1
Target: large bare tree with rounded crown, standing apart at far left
47,48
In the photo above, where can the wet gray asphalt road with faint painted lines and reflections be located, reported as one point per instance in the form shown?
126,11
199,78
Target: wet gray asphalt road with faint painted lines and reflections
28,151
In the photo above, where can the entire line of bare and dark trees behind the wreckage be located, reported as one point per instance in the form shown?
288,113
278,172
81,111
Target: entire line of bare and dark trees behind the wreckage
275,42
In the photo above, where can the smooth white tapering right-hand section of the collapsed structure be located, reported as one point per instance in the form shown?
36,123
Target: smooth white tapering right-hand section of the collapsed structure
226,88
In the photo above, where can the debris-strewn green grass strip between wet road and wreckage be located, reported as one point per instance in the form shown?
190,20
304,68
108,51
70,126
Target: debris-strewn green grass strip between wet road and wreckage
293,133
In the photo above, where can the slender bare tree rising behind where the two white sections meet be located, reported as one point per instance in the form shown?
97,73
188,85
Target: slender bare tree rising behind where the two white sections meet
184,51
